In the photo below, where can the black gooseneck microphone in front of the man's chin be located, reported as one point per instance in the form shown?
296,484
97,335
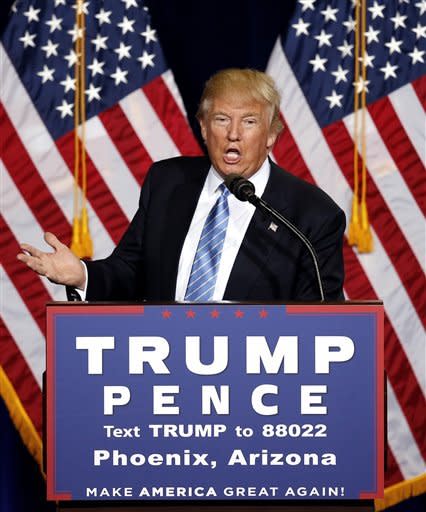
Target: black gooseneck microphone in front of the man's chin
244,190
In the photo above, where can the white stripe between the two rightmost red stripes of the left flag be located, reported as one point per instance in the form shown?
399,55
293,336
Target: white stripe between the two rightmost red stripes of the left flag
148,126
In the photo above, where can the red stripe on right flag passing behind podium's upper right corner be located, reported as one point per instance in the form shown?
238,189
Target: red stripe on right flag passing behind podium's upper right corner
407,390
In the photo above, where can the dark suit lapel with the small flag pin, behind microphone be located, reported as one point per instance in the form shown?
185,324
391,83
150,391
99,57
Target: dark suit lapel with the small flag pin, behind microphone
260,239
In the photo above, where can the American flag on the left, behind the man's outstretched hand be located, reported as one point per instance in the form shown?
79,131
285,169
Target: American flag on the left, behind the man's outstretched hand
134,116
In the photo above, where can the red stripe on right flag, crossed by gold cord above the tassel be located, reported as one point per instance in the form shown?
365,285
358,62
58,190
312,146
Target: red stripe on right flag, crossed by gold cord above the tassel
381,218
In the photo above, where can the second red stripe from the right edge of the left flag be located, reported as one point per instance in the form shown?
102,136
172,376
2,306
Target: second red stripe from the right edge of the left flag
126,141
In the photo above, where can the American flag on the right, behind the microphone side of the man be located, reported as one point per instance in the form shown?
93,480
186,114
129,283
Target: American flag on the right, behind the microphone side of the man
313,65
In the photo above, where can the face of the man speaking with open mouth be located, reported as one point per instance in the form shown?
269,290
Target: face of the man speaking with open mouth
237,134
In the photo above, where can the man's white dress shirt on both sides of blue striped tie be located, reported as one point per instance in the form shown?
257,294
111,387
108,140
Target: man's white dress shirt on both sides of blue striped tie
240,215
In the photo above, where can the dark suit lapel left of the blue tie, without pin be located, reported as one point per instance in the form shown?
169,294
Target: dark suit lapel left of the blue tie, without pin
181,206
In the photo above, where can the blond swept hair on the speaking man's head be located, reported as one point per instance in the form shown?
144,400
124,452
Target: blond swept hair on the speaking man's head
250,83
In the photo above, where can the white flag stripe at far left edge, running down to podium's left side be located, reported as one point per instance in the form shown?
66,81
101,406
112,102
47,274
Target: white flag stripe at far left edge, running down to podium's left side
27,335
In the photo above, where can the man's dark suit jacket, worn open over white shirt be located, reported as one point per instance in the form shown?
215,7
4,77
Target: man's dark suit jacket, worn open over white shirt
269,265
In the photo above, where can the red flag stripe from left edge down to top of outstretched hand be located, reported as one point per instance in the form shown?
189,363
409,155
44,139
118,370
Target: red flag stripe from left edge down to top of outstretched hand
30,184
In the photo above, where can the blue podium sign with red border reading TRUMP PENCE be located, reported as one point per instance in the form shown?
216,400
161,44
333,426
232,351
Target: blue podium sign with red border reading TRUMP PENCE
214,402
